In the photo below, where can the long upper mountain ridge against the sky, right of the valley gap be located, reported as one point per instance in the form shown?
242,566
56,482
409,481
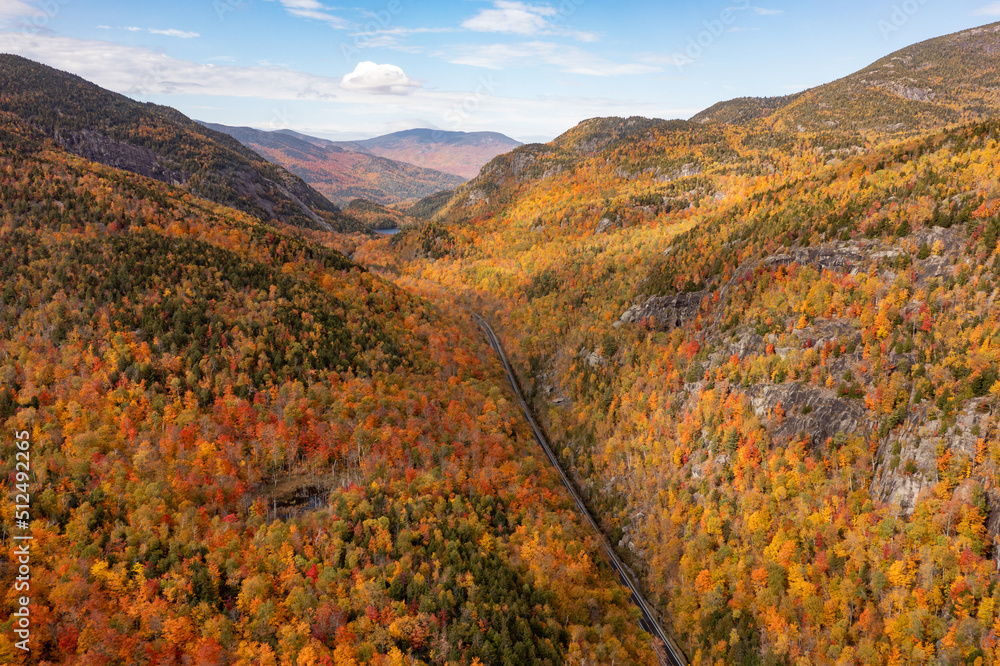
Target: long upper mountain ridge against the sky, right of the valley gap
835,119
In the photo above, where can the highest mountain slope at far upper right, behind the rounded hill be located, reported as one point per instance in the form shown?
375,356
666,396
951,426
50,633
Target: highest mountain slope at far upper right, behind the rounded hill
936,83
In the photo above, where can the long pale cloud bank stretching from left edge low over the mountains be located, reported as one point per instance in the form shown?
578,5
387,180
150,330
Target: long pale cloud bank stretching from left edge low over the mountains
249,95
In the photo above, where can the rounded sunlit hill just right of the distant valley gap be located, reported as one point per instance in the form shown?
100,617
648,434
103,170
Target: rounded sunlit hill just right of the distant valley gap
667,165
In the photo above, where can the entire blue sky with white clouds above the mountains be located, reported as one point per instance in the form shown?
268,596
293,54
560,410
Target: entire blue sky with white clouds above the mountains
528,69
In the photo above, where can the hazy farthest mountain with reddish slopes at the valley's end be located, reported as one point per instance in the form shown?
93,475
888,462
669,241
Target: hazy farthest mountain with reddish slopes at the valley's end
458,153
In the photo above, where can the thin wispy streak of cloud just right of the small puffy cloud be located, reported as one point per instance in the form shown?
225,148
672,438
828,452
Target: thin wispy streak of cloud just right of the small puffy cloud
568,59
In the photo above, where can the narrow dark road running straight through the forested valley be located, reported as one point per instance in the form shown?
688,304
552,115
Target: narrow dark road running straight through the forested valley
670,654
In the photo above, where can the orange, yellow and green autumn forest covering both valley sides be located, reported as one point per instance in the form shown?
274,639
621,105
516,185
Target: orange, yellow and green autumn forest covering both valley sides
764,344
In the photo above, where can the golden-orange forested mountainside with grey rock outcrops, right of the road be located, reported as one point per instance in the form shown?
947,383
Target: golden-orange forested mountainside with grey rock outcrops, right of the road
770,358
